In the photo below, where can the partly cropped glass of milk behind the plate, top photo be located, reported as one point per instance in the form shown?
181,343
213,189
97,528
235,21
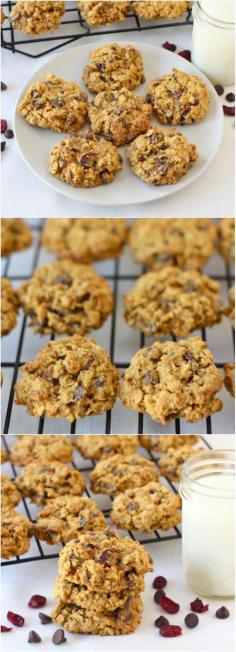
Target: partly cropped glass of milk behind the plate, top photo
213,39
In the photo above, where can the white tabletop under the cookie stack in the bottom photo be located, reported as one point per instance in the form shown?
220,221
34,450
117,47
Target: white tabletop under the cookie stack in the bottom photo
212,635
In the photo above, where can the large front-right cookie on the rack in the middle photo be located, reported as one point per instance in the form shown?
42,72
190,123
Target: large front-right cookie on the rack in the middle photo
172,380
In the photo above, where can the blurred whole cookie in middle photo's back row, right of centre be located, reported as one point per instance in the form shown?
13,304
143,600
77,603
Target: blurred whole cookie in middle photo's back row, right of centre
186,243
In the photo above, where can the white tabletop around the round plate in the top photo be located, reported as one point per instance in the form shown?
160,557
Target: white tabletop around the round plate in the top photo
26,196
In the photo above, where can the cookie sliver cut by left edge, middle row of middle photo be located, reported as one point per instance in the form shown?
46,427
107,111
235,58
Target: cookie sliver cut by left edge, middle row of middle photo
9,307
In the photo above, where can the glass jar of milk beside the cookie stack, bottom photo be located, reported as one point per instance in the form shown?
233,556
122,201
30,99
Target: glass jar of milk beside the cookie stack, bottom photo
208,492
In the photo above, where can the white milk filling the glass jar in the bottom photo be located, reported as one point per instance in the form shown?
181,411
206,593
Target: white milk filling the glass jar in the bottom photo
208,537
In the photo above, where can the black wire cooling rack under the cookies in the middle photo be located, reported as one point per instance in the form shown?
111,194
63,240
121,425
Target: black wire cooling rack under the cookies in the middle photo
13,365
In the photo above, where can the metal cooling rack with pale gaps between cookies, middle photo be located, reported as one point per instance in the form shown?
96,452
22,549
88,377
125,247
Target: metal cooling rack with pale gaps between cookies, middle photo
121,341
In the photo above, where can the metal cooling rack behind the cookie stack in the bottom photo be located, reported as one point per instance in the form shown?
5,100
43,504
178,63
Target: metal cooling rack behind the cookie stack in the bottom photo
40,550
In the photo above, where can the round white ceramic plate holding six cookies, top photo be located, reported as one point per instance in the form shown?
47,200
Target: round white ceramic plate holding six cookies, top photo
35,144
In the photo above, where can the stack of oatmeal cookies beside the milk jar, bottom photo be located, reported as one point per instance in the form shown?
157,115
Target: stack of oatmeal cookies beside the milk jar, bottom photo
100,580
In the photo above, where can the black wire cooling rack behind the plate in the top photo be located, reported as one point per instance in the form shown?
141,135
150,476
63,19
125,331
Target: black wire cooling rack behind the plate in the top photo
73,28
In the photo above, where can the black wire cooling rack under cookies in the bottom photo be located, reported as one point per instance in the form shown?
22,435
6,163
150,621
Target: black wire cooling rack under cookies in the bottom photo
43,551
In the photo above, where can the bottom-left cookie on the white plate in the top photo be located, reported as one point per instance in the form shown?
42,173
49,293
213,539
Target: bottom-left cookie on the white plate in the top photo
85,161
